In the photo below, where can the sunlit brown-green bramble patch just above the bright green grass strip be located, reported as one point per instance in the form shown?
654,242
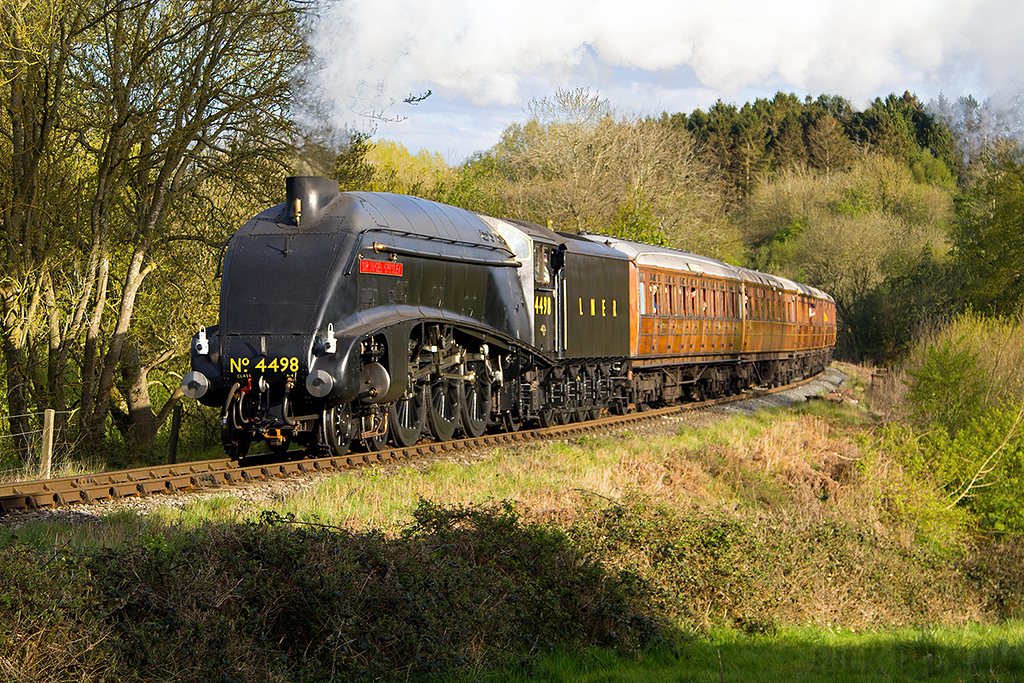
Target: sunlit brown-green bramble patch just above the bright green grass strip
755,574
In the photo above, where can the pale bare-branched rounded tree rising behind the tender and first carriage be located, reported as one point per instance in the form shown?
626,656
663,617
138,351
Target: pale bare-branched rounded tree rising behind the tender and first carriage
581,164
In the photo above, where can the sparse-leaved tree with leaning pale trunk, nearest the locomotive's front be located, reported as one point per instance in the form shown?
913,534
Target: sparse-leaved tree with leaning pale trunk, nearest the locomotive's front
184,92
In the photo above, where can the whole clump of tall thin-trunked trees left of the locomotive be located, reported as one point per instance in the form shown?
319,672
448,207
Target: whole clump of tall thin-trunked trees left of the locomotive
119,118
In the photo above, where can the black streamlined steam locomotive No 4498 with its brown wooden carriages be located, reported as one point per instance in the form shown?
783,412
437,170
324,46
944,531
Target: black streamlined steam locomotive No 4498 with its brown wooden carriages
355,321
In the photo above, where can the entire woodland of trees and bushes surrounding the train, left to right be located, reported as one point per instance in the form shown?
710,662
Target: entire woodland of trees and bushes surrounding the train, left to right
138,137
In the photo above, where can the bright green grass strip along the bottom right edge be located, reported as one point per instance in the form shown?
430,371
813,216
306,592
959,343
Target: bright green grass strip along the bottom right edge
798,656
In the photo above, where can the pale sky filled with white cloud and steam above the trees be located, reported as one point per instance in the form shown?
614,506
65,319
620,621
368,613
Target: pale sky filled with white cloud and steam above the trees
485,61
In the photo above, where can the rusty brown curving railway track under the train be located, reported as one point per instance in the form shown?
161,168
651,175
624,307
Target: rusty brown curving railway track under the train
217,474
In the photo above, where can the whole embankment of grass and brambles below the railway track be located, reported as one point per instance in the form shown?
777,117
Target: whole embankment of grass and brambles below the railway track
793,545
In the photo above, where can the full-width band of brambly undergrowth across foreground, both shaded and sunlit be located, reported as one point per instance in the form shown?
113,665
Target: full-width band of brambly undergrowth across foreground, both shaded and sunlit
466,588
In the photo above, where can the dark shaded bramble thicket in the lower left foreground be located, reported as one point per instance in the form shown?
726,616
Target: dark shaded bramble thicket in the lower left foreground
277,601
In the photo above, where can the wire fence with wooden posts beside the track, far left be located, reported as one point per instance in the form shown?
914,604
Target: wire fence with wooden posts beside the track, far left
22,449
